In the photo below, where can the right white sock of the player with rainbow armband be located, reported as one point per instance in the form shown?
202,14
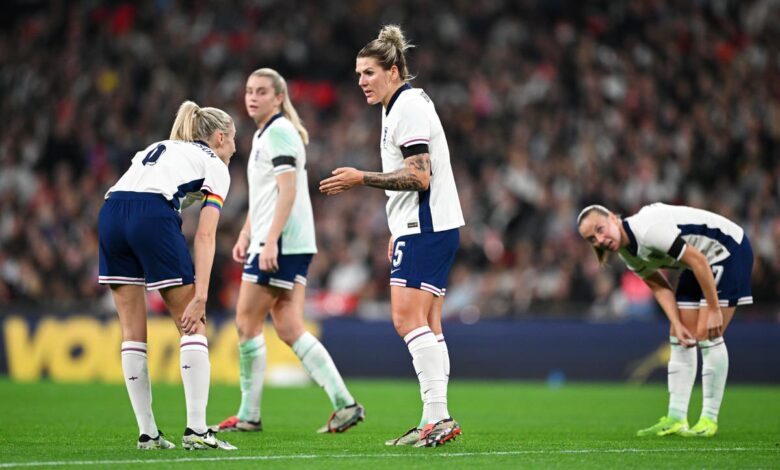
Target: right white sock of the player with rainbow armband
195,375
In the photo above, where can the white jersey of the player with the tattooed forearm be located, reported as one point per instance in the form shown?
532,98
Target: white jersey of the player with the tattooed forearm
410,119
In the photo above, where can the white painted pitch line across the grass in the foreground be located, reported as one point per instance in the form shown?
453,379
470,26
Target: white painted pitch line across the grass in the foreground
55,463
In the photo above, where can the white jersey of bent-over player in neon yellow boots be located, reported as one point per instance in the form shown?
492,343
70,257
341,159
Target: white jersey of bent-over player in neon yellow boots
659,234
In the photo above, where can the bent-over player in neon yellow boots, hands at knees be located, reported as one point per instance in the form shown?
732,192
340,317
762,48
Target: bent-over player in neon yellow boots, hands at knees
716,260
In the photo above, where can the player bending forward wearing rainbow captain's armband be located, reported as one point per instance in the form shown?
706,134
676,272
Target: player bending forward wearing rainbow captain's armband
142,247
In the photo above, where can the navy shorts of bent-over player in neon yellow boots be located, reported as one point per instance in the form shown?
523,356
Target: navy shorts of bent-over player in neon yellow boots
733,278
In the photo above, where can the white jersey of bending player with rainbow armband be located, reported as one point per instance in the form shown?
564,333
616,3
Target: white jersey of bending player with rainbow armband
175,168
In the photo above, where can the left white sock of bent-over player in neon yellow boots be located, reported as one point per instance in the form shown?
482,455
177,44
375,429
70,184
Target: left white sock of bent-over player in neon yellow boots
683,363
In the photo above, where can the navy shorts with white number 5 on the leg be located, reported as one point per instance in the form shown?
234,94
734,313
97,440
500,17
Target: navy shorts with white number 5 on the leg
423,260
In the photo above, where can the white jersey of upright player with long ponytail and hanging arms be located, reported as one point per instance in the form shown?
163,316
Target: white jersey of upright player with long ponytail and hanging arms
276,149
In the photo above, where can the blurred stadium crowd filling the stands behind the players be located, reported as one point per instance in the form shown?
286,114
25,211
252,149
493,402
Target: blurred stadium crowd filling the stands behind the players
549,106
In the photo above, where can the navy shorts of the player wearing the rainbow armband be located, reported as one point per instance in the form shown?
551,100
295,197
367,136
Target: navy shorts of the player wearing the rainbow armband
141,242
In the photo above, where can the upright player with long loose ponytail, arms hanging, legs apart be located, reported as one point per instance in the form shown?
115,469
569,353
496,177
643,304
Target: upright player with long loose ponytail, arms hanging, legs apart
276,245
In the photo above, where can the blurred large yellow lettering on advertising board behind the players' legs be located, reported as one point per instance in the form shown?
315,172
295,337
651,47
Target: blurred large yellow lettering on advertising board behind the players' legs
86,349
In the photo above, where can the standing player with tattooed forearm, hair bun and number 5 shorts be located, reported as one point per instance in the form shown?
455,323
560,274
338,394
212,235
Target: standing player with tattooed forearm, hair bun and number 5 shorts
424,216
